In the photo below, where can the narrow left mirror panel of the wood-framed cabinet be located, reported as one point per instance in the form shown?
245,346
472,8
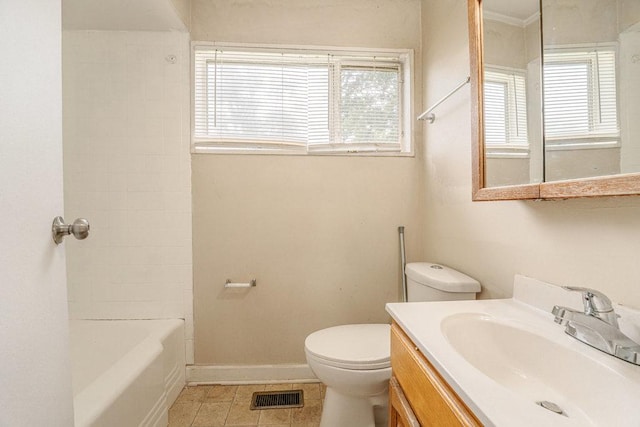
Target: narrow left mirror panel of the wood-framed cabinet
511,91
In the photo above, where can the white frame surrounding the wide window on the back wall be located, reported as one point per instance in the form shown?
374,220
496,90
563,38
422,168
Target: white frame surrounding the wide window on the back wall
406,106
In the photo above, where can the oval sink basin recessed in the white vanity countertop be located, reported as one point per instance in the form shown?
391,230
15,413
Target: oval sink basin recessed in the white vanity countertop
540,369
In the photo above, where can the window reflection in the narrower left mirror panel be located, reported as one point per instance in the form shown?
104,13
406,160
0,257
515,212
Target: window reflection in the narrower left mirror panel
505,108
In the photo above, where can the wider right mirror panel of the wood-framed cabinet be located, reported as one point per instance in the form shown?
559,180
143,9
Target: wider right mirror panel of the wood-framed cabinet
592,88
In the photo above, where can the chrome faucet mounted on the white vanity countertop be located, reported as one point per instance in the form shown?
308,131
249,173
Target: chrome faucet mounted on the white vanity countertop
597,326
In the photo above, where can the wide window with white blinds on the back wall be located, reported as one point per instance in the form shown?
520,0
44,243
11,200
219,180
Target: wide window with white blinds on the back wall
300,101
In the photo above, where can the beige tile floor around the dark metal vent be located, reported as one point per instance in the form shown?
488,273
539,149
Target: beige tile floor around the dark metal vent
228,405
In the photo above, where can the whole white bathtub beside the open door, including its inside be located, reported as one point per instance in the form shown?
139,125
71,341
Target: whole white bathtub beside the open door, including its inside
126,372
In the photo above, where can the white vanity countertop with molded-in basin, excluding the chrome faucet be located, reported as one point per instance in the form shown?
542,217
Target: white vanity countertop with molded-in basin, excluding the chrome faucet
504,356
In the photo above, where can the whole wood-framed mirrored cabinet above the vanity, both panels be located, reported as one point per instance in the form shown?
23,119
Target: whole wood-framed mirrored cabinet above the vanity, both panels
591,95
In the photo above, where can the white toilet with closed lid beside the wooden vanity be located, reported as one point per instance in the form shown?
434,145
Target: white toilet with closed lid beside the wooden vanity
353,361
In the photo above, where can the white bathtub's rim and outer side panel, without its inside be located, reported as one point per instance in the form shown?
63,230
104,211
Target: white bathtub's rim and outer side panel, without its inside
139,387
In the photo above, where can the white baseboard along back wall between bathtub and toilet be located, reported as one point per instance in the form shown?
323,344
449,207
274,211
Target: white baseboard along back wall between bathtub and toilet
249,374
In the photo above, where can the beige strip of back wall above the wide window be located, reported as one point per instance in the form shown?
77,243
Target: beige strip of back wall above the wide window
354,23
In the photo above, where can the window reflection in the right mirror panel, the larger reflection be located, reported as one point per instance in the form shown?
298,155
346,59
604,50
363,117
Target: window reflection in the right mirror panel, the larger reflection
580,102
